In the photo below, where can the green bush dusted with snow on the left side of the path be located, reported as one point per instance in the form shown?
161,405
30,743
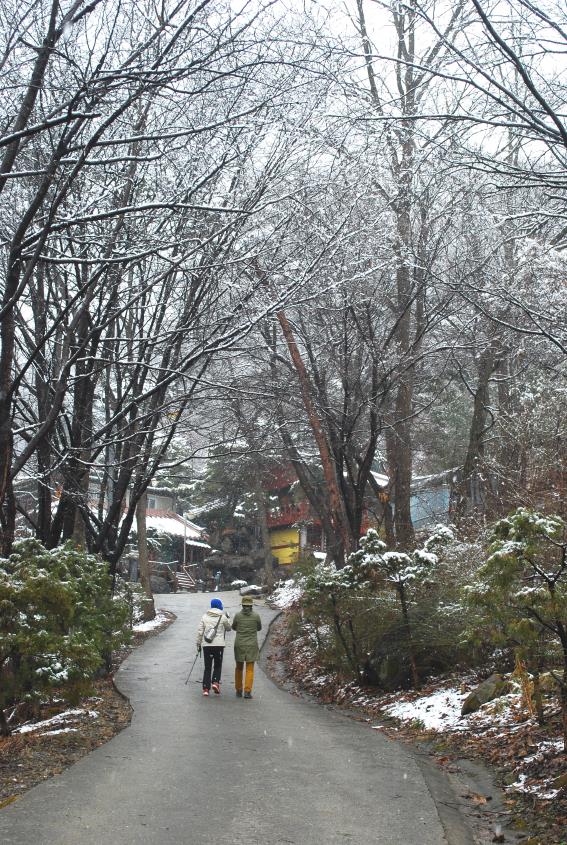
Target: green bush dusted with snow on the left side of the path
59,621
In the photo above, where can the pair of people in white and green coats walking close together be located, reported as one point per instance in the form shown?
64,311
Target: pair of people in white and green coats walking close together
246,623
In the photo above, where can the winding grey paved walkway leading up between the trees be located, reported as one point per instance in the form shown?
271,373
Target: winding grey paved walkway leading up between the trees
222,770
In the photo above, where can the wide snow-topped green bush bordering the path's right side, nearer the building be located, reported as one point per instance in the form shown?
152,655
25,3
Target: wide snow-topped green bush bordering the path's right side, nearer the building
388,616
